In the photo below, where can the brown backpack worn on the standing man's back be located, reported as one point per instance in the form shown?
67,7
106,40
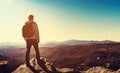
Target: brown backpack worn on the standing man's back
27,30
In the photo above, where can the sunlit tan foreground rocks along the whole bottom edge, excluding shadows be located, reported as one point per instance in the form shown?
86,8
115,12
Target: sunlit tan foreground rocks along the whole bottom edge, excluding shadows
37,69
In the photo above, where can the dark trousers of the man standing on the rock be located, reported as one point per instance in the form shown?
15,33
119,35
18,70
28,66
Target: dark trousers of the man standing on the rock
29,44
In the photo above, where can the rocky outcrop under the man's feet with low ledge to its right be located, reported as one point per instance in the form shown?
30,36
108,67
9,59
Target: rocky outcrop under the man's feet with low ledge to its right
37,69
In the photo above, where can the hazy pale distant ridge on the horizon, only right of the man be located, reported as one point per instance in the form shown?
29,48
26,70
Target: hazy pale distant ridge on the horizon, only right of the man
79,42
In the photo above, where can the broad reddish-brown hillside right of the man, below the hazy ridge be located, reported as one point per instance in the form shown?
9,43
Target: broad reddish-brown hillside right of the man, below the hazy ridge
85,56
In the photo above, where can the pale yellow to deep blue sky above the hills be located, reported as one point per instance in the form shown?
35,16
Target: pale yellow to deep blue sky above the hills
60,20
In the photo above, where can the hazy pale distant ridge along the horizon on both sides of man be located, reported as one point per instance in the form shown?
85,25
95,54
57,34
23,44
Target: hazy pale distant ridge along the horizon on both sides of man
63,43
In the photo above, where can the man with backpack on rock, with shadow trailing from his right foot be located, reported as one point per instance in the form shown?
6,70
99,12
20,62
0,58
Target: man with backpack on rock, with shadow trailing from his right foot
30,33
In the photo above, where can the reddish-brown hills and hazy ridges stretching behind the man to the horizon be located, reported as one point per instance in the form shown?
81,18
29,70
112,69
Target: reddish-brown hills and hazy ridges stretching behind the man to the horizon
75,54
